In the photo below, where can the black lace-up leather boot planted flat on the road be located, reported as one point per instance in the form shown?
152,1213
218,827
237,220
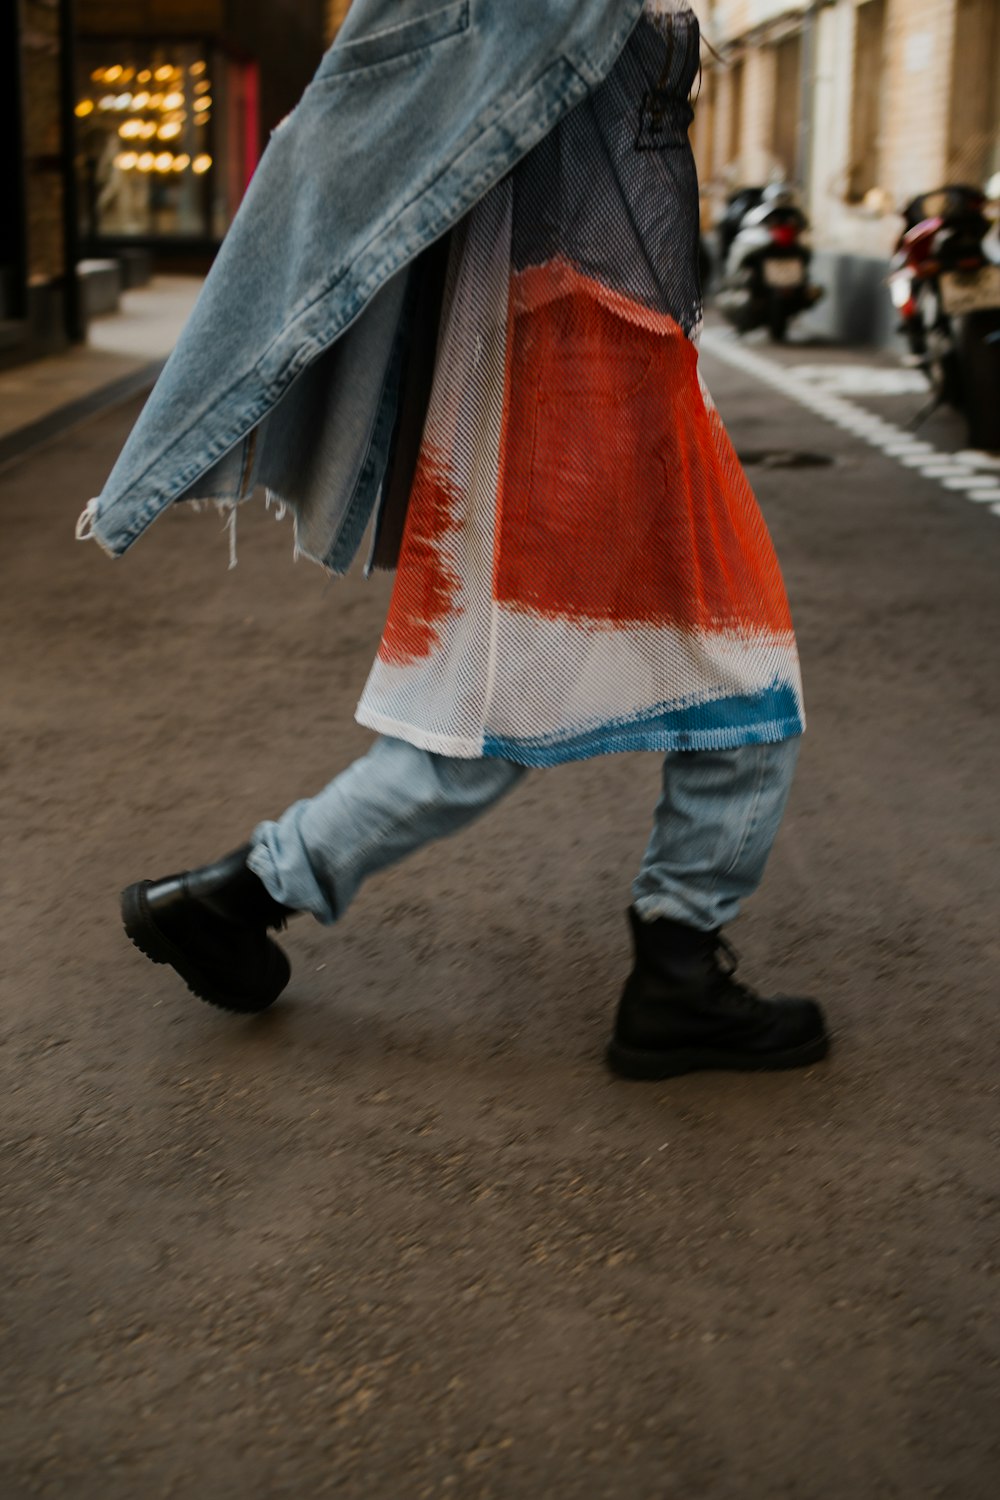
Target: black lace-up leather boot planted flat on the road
683,1010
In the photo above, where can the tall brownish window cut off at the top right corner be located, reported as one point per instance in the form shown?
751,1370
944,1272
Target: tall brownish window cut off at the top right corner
974,152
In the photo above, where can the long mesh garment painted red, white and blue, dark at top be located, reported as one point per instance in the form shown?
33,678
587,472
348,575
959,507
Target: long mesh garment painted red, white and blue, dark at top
584,566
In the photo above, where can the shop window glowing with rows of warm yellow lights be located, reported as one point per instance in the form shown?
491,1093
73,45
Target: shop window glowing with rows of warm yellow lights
166,139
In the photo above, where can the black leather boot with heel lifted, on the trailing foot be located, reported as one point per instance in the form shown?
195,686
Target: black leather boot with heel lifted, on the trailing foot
212,926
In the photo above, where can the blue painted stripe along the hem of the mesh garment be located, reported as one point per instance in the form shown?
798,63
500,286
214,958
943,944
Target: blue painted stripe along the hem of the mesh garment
720,725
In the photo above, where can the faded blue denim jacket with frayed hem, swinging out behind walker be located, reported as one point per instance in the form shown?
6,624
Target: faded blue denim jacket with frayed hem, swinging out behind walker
289,371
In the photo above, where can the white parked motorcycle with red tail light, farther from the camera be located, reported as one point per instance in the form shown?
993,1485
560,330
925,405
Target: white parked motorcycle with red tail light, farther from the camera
765,259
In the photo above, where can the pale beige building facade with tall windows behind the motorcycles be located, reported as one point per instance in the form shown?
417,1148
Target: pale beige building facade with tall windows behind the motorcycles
864,104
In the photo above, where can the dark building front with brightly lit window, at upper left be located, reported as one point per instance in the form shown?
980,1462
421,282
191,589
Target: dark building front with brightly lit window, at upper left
131,133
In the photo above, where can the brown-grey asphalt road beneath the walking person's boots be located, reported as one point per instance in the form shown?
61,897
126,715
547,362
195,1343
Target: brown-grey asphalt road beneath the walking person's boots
404,1237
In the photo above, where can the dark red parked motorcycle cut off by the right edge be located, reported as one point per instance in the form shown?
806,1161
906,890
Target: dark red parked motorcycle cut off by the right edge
945,283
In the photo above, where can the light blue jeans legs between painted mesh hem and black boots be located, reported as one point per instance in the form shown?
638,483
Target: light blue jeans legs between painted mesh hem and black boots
713,827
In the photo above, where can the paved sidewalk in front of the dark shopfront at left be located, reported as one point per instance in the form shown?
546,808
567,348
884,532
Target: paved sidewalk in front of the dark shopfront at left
124,355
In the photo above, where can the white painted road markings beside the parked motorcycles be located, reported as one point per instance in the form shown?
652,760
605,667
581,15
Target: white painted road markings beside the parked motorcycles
822,388
